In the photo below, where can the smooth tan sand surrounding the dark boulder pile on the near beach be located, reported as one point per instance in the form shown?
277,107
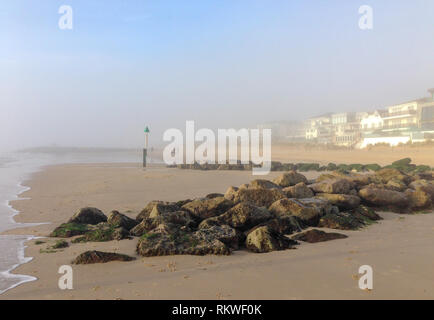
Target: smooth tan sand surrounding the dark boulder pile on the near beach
399,248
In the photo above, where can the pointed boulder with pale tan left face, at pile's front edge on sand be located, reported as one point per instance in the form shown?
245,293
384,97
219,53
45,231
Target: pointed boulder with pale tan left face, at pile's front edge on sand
264,239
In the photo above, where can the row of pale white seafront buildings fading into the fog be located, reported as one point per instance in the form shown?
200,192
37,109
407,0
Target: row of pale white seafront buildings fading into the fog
412,121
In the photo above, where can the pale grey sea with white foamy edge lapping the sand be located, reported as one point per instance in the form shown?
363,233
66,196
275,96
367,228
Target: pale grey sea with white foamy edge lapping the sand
16,167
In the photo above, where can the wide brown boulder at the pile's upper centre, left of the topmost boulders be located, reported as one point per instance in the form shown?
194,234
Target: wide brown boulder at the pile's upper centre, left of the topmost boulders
258,197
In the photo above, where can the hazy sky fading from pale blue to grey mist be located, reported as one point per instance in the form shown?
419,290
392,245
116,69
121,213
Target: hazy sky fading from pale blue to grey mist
222,63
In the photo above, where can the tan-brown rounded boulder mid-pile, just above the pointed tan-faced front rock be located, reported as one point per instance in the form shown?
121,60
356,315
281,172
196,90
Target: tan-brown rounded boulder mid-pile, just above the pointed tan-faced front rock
293,207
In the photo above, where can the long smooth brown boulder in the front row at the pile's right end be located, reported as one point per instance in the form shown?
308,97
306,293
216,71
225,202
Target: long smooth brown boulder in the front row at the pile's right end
384,198
